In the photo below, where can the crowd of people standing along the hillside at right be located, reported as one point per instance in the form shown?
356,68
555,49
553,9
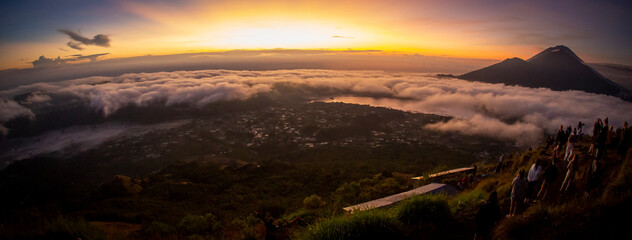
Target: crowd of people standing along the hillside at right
539,181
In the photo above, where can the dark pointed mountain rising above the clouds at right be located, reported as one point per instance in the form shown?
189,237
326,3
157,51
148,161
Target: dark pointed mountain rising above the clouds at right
557,68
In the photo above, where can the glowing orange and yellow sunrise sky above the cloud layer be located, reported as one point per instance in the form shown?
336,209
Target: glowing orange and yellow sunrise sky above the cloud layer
485,29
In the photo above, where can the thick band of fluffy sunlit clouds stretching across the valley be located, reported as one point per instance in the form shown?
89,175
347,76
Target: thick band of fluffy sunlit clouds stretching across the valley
510,113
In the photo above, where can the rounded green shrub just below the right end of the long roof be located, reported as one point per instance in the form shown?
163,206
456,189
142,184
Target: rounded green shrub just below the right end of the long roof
423,210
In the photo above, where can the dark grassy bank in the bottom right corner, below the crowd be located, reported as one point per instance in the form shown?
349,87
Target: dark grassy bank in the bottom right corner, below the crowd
597,217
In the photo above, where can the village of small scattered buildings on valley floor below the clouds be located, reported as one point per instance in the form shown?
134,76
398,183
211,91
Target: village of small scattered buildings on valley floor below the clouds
302,126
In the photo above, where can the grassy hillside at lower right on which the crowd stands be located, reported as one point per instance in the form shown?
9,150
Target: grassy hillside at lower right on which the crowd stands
575,215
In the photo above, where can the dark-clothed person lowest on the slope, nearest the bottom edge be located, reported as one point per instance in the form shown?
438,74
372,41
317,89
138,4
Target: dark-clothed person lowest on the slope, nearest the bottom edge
487,217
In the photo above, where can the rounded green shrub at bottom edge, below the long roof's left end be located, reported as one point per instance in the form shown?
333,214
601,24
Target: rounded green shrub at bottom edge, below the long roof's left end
376,224
